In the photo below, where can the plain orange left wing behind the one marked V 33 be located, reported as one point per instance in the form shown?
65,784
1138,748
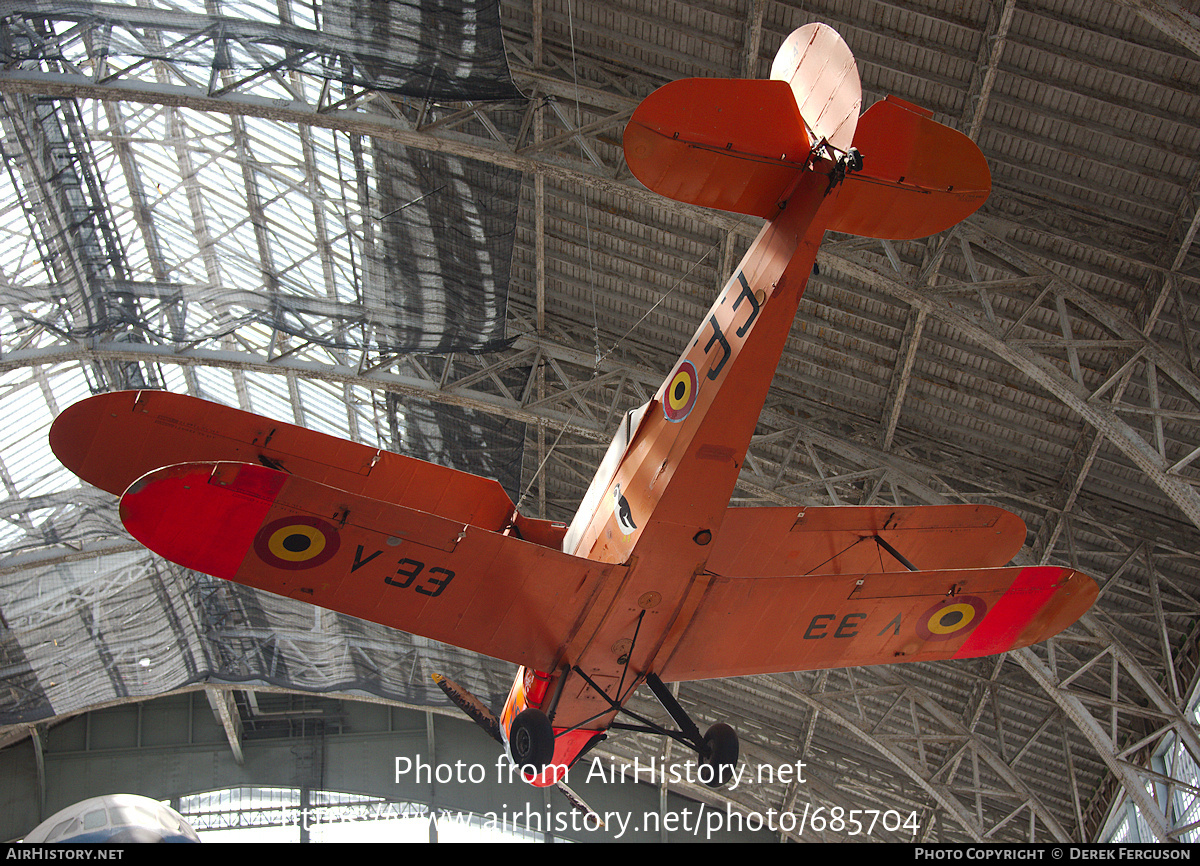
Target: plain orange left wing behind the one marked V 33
112,440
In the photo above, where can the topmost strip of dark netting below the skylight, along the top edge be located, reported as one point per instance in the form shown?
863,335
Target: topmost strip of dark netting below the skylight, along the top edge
442,50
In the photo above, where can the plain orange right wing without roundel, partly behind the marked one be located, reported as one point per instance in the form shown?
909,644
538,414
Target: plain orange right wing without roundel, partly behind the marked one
781,542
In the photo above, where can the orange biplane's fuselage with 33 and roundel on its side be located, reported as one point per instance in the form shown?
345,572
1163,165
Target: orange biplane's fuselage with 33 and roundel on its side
659,510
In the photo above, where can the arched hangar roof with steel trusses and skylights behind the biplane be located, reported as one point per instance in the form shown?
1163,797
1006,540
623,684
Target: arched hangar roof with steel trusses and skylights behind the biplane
412,225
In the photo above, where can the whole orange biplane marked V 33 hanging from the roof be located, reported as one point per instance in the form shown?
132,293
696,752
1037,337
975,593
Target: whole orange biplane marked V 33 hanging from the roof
657,580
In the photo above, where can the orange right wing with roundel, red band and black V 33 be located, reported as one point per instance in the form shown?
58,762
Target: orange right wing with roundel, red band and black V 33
772,624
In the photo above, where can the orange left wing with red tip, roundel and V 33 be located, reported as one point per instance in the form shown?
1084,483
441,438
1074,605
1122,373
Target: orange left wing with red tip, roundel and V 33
394,566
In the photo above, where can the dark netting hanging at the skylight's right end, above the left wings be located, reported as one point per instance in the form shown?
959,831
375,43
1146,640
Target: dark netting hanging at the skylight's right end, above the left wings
437,257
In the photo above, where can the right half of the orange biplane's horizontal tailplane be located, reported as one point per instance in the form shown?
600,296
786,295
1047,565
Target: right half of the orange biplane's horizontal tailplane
919,177
